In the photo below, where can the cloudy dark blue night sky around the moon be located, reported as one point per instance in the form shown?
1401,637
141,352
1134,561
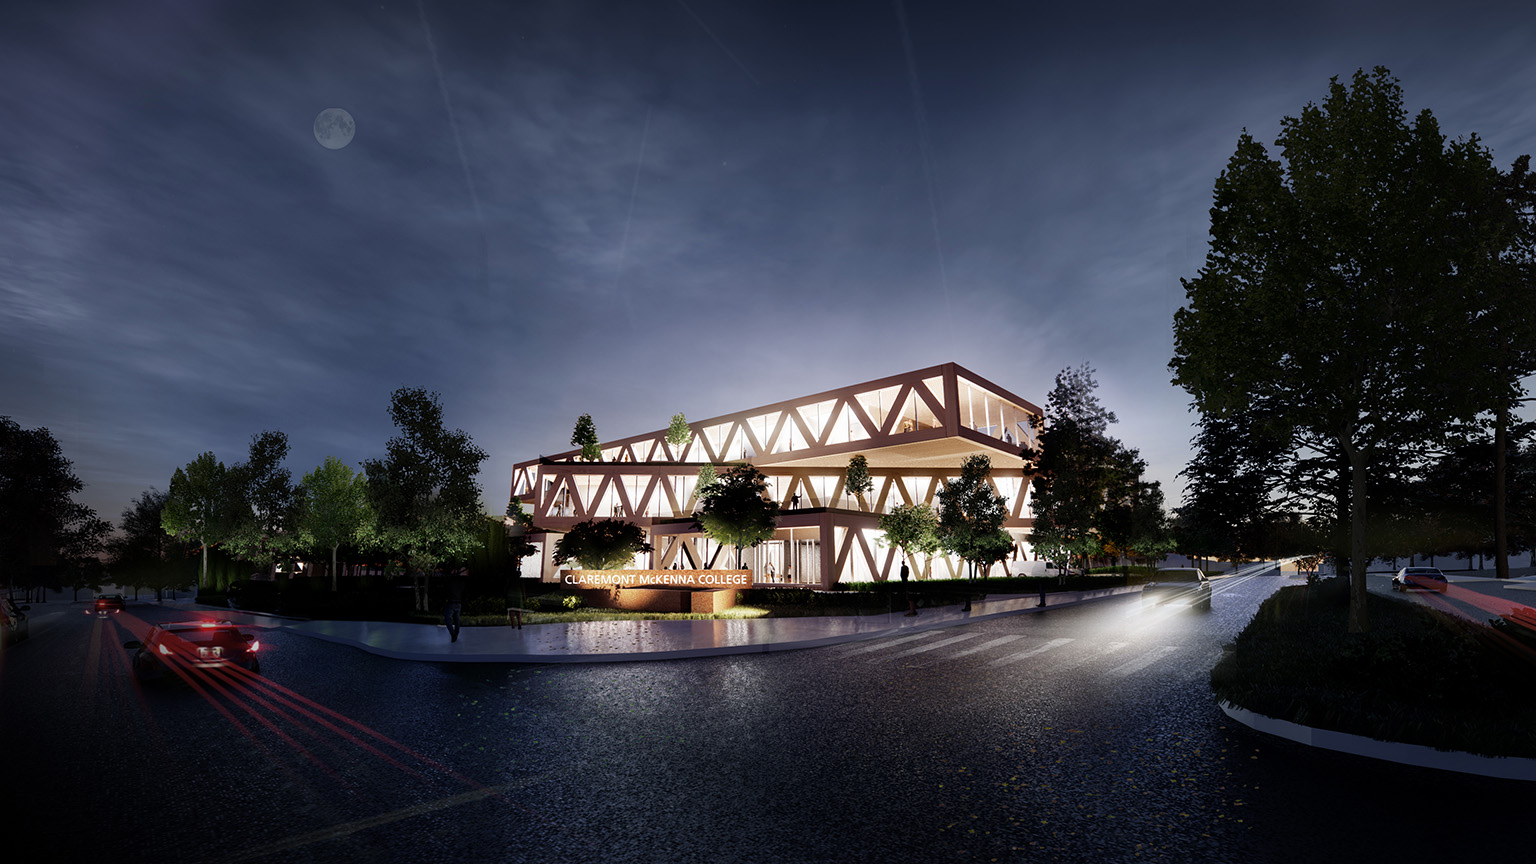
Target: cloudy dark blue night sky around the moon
637,208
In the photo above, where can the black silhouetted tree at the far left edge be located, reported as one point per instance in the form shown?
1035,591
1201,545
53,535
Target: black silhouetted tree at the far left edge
45,534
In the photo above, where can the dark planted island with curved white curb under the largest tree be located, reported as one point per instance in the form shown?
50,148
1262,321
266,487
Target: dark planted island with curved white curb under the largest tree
1418,677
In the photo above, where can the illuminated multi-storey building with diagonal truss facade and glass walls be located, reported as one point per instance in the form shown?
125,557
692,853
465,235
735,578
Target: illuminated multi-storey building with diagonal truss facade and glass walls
915,430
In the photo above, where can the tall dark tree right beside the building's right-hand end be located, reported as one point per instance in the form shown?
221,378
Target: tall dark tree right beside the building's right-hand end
1074,467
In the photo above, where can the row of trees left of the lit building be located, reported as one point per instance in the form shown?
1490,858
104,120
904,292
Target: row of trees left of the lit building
417,508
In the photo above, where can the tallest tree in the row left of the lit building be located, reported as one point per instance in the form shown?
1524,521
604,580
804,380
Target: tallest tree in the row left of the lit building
423,493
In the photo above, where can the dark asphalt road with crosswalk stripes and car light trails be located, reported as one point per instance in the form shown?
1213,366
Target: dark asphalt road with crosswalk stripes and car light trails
1085,734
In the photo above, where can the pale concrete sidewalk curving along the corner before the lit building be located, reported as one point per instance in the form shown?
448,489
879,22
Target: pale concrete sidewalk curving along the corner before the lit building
614,642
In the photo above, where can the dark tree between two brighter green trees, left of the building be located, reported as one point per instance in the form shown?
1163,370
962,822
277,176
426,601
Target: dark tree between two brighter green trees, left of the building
266,503
